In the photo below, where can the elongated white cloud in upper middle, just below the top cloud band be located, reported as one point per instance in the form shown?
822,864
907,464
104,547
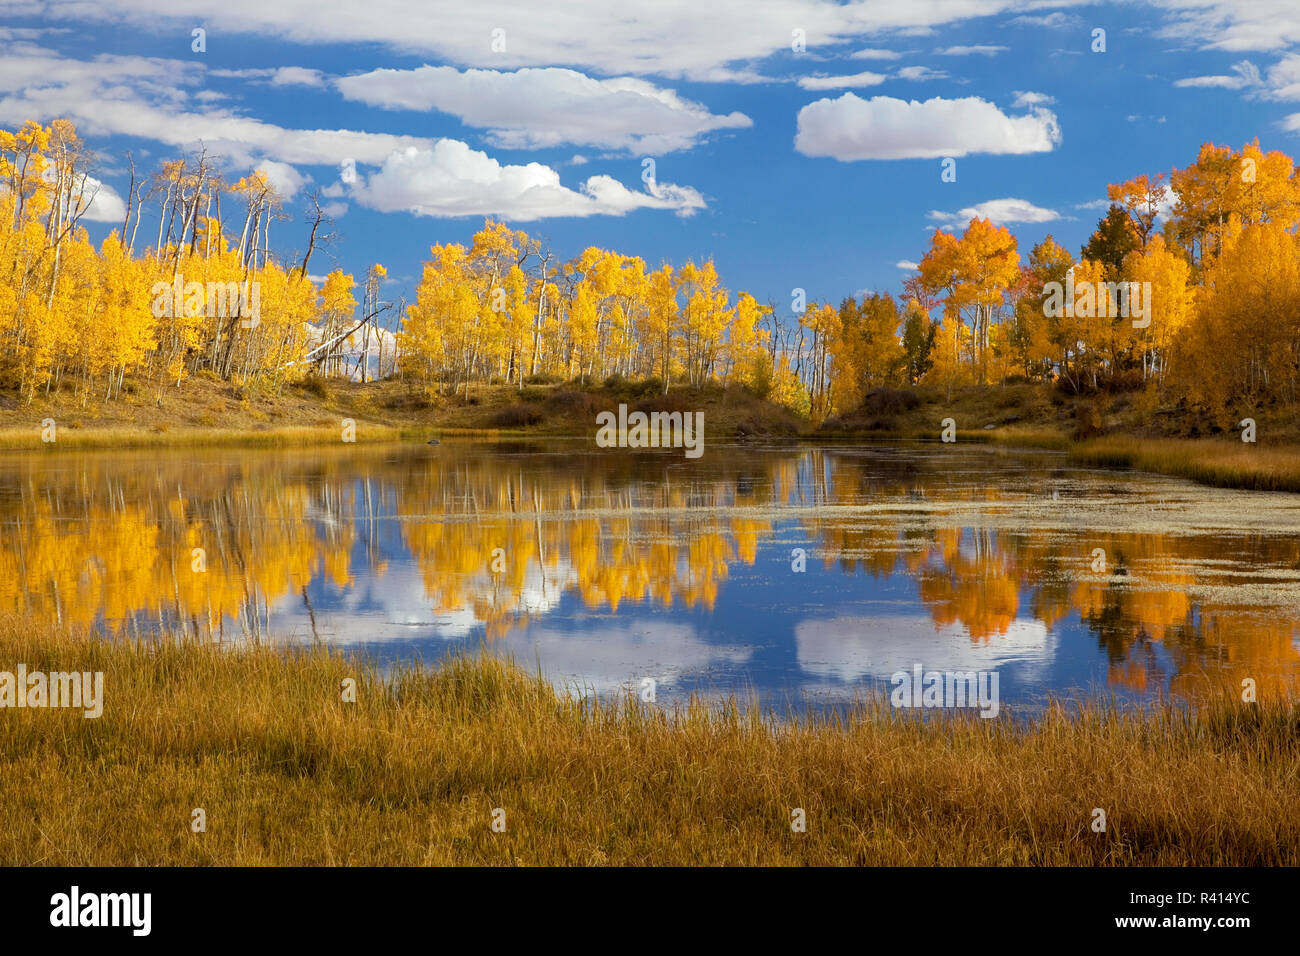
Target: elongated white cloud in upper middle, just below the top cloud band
536,109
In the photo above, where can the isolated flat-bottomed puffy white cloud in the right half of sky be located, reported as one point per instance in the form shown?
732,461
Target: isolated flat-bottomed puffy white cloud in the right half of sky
851,128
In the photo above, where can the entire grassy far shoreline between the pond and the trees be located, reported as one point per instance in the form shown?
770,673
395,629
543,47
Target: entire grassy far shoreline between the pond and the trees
213,414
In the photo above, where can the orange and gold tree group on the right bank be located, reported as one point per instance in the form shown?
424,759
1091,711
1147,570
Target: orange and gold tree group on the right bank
1206,309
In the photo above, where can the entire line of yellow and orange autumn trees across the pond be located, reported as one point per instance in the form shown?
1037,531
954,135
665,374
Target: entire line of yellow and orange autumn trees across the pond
1223,271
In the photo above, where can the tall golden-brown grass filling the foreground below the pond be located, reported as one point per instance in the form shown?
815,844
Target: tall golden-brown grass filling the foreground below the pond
291,775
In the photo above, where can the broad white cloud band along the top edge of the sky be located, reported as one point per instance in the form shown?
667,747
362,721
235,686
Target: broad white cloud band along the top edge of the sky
717,42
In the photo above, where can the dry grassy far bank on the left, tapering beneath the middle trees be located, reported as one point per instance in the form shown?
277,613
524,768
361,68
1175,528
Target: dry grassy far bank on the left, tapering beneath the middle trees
205,412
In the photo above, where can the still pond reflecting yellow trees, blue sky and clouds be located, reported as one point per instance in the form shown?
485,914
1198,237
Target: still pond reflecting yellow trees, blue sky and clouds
798,576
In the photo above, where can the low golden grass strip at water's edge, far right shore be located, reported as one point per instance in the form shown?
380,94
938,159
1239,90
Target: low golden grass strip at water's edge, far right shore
1224,464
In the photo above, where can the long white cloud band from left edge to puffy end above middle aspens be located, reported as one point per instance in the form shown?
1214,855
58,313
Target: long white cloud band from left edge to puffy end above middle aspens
148,98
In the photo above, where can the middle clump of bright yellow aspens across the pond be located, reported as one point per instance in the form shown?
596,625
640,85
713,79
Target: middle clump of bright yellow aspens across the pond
502,310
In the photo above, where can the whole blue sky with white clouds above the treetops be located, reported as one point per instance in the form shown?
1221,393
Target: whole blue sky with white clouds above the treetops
818,170
